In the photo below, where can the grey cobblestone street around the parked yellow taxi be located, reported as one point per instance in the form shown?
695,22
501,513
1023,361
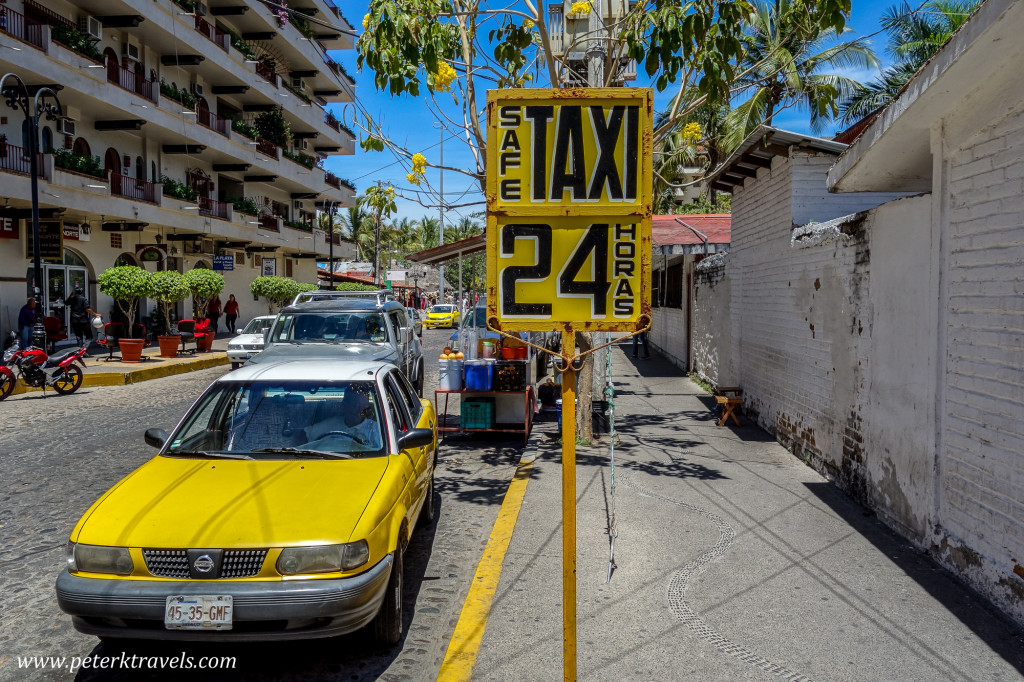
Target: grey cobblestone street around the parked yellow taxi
62,453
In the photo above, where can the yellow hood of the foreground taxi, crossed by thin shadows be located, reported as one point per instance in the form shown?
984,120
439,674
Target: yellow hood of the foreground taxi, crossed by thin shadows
175,502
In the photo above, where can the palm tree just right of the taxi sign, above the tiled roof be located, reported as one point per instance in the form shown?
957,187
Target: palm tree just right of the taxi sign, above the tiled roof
787,66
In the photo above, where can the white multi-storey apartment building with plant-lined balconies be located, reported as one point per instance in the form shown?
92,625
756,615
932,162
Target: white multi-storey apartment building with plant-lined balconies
172,152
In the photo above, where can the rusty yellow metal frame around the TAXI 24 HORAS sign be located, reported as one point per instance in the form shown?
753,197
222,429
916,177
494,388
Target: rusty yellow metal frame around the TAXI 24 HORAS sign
560,216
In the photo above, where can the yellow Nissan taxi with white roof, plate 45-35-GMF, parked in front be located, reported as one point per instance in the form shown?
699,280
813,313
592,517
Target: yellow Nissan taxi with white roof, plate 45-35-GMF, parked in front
279,508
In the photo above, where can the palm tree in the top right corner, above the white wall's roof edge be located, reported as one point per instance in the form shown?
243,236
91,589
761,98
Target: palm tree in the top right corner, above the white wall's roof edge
914,37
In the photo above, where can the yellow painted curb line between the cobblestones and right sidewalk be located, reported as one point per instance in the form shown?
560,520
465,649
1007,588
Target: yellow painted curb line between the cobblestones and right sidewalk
470,630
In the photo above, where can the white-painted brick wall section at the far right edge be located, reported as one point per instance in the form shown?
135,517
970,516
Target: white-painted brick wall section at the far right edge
983,429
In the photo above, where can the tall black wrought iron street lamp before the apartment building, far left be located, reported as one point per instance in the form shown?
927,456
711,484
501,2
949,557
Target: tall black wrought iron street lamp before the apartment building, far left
17,97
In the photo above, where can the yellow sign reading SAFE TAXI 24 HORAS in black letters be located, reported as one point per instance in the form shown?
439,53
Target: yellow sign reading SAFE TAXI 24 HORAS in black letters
569,209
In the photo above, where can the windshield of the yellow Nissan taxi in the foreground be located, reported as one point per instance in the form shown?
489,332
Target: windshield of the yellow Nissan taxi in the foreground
294,419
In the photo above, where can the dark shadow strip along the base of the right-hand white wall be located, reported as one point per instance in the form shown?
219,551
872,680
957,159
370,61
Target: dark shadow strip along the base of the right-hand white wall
994,628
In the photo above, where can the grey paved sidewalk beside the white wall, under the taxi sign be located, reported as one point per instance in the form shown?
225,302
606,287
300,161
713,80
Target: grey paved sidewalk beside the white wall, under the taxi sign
734,562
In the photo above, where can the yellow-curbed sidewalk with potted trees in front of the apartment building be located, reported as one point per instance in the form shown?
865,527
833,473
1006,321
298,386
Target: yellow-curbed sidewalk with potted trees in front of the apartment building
101,372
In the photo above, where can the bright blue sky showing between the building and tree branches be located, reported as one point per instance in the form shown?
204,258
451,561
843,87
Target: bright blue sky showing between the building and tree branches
411,124
